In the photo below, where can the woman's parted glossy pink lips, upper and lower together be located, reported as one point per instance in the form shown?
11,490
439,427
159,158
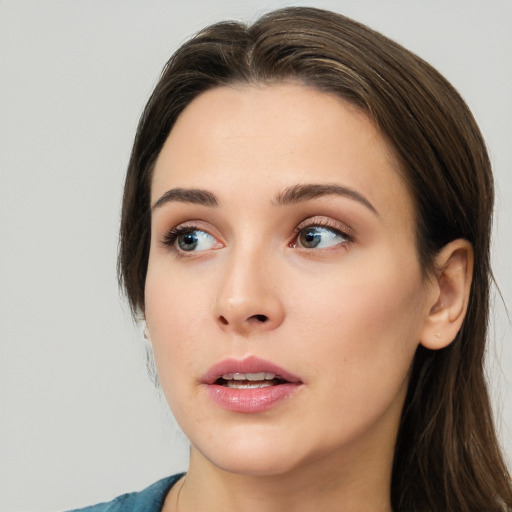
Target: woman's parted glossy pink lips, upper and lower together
249,400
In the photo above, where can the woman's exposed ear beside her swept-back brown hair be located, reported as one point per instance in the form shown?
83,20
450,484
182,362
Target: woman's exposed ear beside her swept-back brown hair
450,294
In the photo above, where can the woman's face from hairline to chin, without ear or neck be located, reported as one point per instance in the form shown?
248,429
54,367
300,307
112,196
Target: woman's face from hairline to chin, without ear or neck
284,298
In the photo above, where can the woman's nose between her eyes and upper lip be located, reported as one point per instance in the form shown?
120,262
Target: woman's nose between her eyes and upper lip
248,299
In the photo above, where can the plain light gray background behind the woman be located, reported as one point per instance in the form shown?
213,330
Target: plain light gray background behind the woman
79,420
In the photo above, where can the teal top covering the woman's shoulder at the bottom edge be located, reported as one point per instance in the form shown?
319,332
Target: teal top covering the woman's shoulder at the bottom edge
150,499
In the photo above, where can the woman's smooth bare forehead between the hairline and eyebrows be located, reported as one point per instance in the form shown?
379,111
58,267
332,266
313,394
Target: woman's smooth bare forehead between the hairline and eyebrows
264,138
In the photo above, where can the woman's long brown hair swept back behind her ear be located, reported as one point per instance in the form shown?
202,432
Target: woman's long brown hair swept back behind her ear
447,456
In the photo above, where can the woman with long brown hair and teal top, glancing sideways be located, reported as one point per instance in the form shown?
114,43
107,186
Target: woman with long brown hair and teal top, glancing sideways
305,232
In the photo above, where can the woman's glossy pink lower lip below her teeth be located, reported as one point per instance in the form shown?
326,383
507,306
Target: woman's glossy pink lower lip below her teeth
251,400
